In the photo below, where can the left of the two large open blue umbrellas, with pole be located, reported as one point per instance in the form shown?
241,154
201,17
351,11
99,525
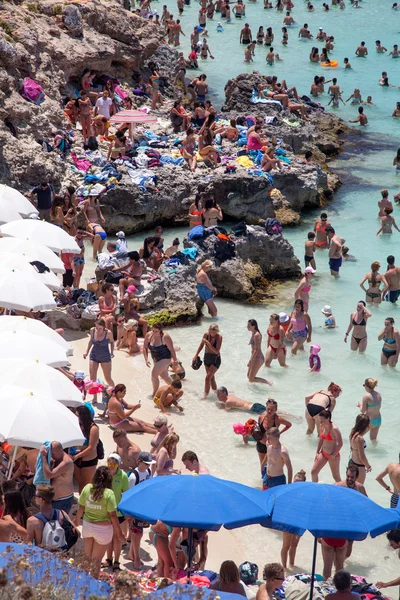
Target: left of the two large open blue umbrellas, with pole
195,502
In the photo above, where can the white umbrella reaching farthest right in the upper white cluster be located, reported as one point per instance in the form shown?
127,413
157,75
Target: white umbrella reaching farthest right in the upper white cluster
44,233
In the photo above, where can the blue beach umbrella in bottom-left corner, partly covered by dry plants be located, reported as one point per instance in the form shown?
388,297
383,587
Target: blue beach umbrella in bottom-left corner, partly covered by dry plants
36,565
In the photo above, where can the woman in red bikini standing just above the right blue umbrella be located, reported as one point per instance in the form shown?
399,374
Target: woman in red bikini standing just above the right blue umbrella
328,449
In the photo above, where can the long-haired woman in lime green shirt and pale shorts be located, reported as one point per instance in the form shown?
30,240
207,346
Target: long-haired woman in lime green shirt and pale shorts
98,507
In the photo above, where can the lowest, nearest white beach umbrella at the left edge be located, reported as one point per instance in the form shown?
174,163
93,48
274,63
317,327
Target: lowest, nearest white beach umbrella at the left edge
29,418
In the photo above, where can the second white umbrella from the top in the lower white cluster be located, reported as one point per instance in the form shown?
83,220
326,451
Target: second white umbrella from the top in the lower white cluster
28,346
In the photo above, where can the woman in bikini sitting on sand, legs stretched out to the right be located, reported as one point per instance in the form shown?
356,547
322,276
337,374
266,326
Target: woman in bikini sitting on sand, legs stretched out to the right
119,413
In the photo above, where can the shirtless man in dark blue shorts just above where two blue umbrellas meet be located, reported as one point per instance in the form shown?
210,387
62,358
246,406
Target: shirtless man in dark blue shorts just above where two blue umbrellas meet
275,460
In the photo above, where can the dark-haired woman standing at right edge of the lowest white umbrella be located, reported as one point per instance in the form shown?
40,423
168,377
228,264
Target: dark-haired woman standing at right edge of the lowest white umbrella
86,459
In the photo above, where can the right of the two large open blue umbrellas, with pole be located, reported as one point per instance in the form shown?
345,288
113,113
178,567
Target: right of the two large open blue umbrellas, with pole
325,510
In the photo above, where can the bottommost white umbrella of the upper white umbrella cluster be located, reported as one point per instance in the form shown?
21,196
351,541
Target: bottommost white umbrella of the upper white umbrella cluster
24,291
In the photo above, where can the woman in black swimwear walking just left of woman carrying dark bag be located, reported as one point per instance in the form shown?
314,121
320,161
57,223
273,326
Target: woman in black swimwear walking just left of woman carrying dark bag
162,350
